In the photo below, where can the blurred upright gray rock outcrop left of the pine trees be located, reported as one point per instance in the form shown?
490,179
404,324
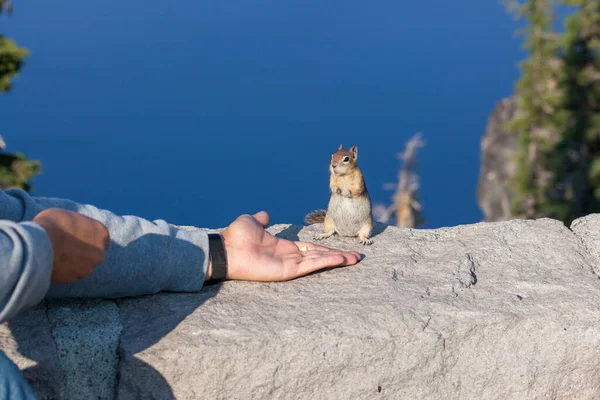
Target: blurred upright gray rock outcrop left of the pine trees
498,149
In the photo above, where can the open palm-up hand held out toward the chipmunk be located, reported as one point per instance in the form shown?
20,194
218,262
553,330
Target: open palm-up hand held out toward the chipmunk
253,254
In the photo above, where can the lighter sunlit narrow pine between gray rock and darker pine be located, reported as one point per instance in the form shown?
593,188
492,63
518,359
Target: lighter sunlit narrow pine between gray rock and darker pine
538,97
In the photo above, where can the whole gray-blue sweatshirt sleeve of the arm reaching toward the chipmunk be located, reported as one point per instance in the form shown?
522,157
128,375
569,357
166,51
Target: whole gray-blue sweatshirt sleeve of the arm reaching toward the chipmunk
144,257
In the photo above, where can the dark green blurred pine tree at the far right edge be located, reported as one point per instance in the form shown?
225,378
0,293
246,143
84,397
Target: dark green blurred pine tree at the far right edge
577,164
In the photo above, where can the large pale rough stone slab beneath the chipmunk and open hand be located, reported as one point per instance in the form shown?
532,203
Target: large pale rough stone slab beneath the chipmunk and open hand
505,310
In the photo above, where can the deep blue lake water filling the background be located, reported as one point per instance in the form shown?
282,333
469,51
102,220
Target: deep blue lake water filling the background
198,111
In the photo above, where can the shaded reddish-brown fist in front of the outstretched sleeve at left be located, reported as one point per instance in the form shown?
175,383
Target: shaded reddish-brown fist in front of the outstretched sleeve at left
79,243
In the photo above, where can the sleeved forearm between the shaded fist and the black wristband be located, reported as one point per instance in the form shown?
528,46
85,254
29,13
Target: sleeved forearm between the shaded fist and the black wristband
143,258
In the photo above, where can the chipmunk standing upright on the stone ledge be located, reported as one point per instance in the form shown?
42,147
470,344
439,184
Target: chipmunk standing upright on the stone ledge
349,212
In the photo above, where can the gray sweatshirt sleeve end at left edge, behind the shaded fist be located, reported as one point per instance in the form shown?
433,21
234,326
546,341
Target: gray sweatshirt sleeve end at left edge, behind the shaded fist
25,267
